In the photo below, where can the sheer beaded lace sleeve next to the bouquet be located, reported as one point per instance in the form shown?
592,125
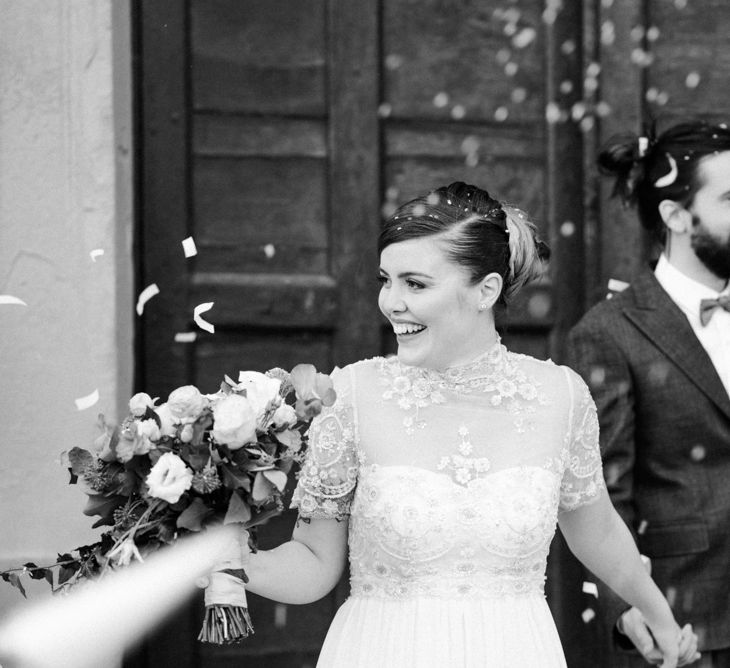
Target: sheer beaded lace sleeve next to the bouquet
329,472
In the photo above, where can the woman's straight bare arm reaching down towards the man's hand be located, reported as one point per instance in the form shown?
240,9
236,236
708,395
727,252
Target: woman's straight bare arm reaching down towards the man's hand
600,539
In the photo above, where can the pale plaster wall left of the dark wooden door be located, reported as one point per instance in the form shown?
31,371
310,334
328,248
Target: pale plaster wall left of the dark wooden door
65,190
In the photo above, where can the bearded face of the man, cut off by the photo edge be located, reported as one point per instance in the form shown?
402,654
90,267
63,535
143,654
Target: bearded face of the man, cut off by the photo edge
711,214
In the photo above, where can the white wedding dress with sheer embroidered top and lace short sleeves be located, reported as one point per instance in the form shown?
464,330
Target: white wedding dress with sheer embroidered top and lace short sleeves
452,483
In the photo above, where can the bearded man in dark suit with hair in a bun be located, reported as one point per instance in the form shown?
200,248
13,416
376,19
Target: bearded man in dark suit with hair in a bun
657,360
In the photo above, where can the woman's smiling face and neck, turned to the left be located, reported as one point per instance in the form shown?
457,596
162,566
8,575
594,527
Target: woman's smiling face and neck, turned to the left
431,304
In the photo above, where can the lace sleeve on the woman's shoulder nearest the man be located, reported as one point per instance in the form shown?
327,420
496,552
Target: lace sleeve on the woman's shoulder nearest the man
582,480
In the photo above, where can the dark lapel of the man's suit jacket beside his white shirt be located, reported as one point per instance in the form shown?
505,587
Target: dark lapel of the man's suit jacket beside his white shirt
661,320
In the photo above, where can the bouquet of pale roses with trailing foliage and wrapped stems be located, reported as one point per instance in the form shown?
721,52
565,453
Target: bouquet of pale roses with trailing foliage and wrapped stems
193,461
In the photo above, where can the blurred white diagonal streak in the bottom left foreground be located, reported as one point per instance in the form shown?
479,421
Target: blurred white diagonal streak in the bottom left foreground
95,624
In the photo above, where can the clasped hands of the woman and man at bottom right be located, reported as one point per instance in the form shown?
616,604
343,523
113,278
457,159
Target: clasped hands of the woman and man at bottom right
666,645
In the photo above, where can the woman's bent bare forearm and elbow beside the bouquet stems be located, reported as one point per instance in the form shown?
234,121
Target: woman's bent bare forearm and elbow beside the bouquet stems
303,569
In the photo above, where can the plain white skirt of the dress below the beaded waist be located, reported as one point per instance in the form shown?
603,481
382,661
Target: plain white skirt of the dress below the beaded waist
507,632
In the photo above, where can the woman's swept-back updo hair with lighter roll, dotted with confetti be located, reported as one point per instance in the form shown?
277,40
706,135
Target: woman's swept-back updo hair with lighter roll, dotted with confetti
480,234
